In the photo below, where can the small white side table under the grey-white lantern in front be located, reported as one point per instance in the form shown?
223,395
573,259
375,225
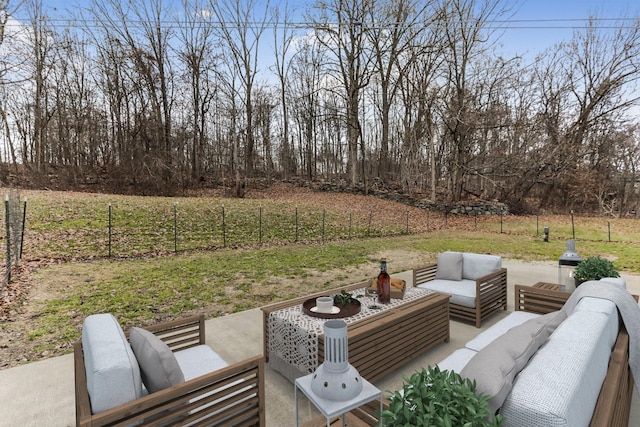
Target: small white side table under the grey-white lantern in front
331,409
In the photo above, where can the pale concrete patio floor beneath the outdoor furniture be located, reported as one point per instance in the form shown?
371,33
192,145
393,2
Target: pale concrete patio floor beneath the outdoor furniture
42,393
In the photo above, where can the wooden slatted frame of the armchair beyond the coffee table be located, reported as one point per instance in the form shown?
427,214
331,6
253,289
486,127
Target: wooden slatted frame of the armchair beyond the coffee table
491,294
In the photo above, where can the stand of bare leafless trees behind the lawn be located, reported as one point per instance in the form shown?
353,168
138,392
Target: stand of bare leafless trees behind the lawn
154,98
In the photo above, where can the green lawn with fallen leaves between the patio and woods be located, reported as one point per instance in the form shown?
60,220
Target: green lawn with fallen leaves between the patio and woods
221,280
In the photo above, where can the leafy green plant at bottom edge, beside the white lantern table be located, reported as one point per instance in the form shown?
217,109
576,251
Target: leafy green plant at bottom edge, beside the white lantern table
439,398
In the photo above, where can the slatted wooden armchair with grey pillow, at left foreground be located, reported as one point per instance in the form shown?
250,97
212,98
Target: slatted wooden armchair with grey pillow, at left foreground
115,386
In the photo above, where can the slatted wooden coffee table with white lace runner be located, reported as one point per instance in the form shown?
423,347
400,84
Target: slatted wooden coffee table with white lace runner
379,340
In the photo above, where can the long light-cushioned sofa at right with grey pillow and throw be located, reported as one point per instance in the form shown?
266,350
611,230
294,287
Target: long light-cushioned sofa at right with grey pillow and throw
578,374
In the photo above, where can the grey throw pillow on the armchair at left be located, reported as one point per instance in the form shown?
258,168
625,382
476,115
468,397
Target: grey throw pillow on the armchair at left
158,365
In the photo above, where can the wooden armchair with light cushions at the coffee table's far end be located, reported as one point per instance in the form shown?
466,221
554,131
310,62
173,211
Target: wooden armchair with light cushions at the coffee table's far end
477,283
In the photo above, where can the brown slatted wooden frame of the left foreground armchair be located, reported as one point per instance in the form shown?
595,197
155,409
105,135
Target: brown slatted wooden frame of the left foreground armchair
230,396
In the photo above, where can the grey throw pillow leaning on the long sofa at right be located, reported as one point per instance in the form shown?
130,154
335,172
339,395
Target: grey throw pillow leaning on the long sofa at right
496,365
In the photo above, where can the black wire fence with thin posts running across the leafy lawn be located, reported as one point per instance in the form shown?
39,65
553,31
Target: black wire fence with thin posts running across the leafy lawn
74,228
